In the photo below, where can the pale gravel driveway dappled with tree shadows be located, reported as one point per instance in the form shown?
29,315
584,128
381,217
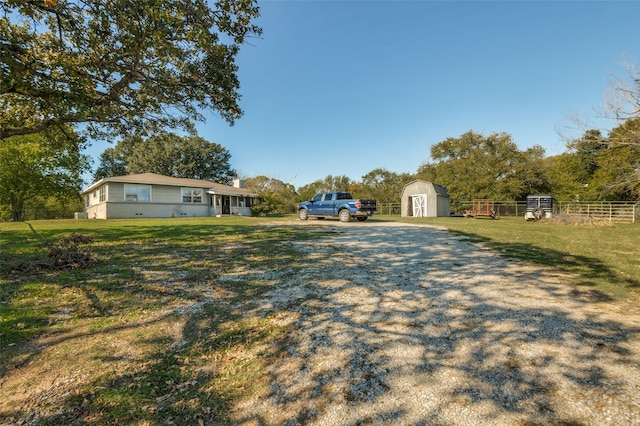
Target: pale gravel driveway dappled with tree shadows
410,325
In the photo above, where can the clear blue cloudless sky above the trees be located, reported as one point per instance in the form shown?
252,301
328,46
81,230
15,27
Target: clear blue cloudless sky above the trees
345,87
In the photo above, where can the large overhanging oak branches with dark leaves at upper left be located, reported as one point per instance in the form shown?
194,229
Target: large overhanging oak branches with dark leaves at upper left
119,66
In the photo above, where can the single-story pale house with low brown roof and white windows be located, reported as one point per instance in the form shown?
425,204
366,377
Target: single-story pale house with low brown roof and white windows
153,195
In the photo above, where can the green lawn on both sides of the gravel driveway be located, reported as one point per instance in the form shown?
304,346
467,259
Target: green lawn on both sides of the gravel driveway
131,340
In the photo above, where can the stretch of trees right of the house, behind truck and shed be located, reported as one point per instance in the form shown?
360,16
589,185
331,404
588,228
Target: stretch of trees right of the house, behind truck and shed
594,167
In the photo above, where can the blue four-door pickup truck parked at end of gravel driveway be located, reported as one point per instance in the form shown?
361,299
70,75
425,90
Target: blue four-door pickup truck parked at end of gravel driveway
340,204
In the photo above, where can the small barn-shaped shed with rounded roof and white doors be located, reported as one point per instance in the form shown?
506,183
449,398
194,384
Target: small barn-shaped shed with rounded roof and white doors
424,199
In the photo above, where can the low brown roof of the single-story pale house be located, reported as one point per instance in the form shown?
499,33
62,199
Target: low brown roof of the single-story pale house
156,179
